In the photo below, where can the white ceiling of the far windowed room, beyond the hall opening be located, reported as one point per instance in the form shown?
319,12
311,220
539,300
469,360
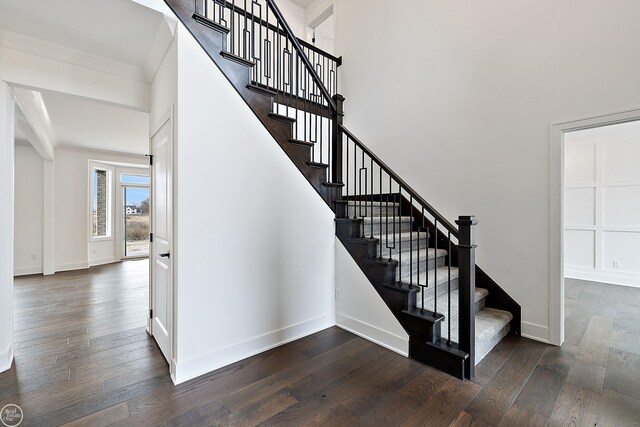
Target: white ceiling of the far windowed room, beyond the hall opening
82,123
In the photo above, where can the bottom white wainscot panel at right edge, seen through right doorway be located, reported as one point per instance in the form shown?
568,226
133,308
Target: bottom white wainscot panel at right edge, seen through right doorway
623,247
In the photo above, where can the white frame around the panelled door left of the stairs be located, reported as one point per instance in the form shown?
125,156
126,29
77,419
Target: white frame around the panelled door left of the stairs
168,116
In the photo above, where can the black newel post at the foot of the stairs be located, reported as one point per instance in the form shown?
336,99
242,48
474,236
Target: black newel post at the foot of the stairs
466,295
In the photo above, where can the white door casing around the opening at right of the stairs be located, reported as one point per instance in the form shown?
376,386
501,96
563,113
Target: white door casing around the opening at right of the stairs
556,208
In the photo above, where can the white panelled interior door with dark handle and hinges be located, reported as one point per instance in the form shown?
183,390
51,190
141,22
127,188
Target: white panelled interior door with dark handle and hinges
161,247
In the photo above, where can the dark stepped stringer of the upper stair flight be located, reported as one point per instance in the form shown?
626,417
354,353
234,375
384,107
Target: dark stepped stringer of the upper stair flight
213,42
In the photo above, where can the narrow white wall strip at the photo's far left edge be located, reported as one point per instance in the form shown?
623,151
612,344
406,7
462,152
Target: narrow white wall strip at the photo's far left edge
6,225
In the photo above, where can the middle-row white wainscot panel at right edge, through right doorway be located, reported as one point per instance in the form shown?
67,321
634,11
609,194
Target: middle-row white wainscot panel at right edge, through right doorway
621,206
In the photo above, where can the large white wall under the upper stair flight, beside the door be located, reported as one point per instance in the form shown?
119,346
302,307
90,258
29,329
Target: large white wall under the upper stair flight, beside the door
255,260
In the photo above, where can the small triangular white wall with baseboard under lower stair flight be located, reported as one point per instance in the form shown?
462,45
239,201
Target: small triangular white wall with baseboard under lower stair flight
359,308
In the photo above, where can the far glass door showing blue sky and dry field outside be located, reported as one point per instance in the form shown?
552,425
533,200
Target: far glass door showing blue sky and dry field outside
136,215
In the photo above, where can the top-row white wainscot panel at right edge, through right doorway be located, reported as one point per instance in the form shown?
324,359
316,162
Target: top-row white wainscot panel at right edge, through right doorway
620,161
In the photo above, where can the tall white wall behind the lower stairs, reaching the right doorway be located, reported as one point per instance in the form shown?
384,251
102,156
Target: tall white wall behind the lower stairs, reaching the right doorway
465,118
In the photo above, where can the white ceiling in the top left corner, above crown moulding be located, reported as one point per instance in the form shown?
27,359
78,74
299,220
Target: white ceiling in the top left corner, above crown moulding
117,30
